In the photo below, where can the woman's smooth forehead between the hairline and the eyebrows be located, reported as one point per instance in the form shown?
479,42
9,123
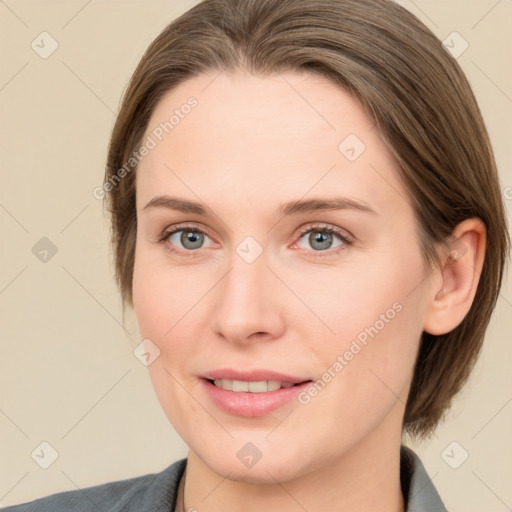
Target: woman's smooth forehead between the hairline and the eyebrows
290,134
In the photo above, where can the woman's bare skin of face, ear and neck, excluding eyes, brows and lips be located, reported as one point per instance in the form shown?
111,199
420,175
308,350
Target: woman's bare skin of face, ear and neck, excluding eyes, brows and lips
251,144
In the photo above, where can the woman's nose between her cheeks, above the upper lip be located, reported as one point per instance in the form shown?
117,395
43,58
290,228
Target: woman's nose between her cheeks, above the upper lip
248,304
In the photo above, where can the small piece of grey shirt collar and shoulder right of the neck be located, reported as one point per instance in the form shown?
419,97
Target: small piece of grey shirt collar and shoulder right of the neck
417,486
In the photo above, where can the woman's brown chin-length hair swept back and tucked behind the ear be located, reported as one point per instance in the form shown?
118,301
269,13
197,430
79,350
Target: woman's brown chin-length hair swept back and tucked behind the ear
410,86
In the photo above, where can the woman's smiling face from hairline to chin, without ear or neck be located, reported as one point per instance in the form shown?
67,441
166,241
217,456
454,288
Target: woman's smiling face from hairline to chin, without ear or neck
275,286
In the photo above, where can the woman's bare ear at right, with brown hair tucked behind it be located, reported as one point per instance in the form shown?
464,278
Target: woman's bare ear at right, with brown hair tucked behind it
450,301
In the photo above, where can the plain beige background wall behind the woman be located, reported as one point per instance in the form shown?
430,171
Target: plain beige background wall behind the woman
67,369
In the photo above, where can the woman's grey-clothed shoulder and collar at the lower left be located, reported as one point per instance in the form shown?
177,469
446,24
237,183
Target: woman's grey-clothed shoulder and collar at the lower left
156,492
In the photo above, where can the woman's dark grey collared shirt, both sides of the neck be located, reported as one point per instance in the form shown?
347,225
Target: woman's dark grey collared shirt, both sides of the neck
157,492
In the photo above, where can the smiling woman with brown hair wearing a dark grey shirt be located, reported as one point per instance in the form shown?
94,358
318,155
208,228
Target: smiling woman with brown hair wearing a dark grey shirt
307,221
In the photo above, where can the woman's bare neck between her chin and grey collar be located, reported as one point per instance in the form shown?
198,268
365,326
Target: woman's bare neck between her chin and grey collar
366,477
